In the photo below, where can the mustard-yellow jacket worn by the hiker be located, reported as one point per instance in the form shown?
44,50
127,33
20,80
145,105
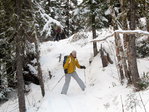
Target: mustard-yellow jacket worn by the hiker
71,64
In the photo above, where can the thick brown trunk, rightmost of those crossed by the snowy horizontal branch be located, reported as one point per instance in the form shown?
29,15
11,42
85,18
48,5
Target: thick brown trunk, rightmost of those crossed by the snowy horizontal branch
132,48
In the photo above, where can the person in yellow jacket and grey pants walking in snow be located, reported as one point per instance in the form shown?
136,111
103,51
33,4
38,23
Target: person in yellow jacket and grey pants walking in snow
70,66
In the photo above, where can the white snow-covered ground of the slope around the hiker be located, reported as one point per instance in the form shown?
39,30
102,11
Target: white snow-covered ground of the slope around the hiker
104,92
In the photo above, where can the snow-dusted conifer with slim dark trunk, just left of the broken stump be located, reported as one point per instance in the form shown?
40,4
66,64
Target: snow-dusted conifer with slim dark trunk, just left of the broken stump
93,10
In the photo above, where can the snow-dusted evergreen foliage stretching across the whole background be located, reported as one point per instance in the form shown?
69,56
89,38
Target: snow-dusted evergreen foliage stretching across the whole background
35,18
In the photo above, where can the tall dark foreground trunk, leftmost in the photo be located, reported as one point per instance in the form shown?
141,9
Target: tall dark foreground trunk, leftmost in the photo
19,58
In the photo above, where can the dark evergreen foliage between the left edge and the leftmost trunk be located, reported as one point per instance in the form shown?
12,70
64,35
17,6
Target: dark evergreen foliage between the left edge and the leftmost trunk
7,35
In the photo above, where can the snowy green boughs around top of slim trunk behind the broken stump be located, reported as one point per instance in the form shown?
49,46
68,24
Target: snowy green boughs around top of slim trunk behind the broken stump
96,7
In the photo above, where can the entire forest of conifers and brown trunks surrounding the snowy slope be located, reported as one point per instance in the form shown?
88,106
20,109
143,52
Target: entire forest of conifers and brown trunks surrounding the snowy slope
22,28
